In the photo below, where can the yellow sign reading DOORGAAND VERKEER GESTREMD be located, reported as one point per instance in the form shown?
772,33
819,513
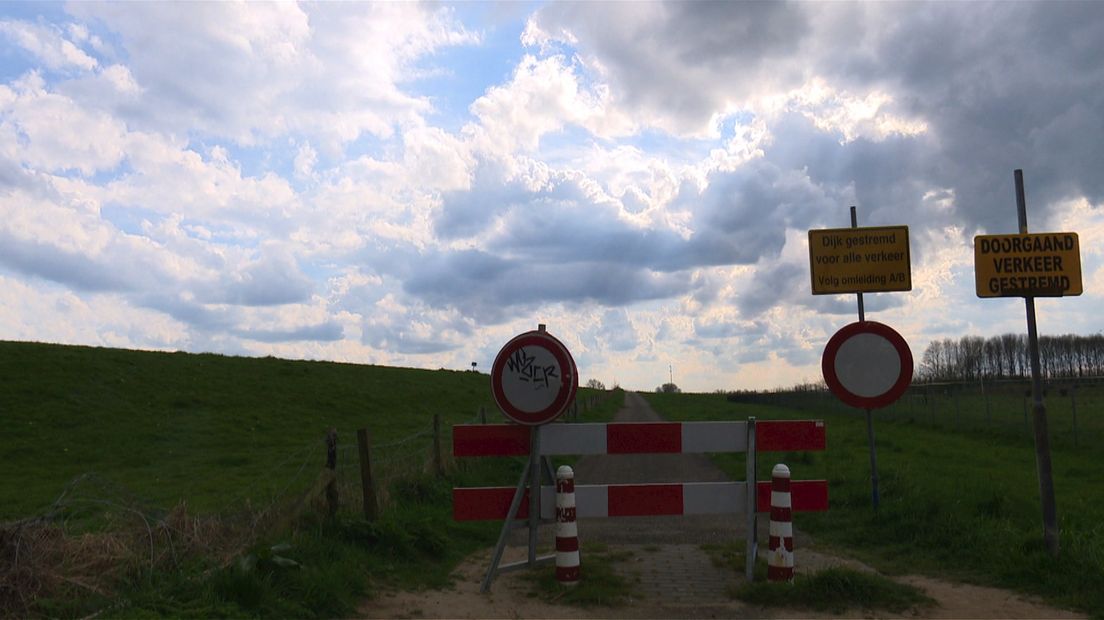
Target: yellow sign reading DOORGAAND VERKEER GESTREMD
1039,265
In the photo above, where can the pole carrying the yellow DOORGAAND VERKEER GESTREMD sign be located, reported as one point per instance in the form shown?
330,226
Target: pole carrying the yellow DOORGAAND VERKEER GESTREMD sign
1039,411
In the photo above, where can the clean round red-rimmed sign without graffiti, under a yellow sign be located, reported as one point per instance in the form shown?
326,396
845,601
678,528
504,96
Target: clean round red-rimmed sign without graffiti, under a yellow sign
867,365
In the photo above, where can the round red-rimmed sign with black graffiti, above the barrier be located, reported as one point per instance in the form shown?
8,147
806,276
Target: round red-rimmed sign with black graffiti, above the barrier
534,379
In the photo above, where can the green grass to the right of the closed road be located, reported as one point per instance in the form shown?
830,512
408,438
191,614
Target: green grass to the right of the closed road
958,505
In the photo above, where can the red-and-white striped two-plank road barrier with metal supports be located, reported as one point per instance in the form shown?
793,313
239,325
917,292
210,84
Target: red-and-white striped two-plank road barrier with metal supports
512,504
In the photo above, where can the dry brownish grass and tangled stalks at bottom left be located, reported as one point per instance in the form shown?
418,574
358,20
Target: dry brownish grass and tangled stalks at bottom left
49,558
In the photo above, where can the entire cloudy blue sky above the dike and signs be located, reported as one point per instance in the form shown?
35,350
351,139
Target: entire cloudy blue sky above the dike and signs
413,185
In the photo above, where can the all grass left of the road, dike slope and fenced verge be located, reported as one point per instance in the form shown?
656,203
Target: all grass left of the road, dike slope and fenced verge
125,472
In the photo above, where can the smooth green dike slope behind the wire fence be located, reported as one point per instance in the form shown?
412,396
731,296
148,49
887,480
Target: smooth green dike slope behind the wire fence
200,429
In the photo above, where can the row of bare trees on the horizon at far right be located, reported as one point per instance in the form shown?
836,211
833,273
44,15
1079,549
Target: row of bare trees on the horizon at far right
1005,357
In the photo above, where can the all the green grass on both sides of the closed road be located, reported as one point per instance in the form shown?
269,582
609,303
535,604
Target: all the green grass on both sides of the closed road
140,458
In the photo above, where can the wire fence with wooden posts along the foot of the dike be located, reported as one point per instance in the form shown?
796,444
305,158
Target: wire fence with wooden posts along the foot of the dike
99,530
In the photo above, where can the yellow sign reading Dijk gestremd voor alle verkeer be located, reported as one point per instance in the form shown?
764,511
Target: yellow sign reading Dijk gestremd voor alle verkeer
873,260
